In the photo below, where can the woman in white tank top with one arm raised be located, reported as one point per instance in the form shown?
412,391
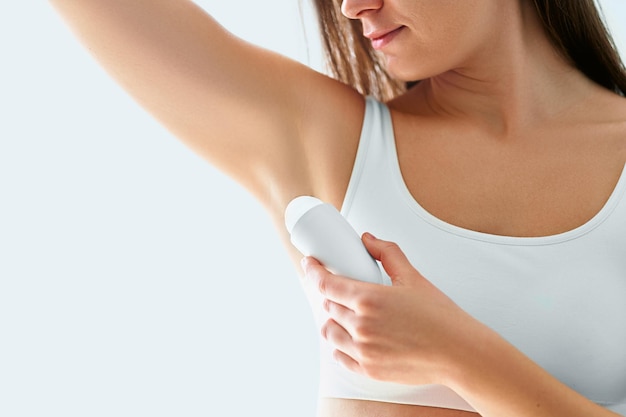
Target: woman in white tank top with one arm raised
499,176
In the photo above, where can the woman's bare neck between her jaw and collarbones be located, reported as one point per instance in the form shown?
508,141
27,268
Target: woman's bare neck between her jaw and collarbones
514,83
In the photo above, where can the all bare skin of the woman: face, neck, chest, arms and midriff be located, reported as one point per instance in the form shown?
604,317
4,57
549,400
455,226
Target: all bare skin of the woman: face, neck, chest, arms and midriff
521,142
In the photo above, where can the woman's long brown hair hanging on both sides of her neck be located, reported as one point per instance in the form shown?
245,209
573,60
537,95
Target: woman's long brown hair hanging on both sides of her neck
575,28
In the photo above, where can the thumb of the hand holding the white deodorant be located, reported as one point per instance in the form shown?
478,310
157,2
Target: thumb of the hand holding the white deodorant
394,261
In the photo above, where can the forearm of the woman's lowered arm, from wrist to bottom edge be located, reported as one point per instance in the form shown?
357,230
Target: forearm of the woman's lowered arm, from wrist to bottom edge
498,380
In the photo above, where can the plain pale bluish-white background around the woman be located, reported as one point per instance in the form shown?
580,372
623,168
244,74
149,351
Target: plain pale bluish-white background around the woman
135,280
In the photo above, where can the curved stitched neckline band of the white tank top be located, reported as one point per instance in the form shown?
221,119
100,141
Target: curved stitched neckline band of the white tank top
602,215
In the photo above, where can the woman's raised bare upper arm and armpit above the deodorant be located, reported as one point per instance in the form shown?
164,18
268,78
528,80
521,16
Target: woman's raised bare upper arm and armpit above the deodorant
256,115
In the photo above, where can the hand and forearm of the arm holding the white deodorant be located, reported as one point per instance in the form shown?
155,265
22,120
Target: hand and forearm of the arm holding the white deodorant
412,333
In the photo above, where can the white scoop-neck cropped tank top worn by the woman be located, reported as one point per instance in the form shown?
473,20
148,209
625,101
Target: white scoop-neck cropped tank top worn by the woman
559,299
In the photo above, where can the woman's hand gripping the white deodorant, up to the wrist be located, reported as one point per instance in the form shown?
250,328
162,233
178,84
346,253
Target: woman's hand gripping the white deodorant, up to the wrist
408,333
